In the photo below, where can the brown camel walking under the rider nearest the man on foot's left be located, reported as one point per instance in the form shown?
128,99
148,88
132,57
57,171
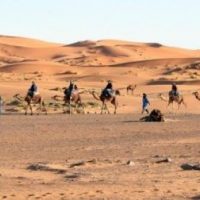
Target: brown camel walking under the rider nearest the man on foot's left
104,100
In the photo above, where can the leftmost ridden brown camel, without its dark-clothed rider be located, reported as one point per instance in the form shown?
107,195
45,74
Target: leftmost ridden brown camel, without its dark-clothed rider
36,100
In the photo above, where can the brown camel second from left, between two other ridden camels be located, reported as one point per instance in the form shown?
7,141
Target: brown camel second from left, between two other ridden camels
75,98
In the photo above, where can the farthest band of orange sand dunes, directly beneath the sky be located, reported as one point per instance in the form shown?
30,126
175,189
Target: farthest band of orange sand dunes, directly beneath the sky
91,53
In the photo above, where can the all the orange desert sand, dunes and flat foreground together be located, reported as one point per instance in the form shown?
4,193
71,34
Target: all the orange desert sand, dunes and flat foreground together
37,152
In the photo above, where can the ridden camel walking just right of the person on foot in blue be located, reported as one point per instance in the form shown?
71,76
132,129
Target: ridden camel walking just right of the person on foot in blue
177,99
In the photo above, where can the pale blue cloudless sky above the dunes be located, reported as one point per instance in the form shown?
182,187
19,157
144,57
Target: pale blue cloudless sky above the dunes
170,22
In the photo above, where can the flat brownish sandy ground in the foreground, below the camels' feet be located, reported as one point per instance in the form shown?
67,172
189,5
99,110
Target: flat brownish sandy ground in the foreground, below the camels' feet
105,143
